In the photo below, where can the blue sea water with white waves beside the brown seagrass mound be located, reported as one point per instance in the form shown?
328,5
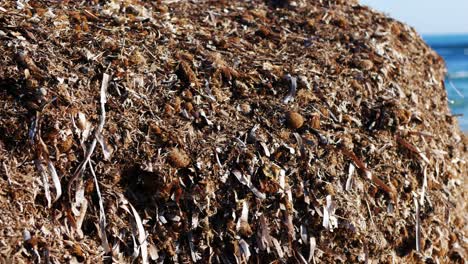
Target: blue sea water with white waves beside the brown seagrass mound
454,50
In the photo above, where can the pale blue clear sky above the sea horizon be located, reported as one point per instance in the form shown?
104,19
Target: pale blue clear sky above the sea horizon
427,16
